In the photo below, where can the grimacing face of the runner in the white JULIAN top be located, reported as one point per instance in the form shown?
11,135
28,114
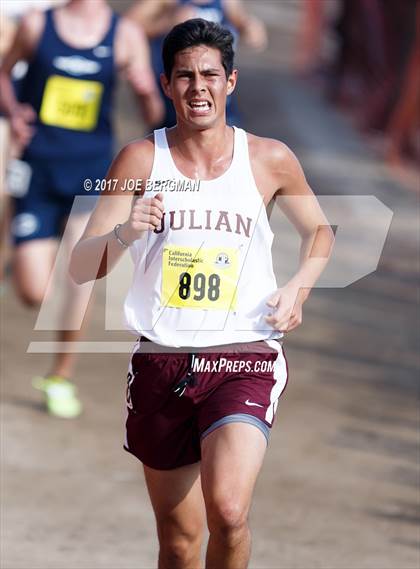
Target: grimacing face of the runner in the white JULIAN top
198,86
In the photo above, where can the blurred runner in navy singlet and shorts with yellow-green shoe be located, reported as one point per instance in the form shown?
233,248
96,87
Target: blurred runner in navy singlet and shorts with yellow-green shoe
63,119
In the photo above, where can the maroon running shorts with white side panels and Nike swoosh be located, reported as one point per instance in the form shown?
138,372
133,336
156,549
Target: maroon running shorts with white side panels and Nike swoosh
176,397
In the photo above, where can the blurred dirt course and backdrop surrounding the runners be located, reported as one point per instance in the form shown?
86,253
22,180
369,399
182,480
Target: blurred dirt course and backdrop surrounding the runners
338,82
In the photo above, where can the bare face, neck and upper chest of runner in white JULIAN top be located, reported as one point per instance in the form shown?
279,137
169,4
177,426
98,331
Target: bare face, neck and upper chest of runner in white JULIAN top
199,78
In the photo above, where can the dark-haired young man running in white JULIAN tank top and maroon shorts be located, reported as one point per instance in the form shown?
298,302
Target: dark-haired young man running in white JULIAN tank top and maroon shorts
204,299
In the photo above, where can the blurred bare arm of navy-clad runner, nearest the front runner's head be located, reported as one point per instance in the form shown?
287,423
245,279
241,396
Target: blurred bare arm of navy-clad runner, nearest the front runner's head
133,58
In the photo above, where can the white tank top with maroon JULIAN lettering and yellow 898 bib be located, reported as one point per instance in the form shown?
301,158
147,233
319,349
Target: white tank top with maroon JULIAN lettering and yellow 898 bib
204,276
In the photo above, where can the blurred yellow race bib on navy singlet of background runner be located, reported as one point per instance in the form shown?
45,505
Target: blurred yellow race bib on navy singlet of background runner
71,103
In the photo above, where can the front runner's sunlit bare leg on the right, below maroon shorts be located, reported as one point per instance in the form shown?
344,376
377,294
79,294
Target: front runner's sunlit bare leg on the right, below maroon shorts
229,470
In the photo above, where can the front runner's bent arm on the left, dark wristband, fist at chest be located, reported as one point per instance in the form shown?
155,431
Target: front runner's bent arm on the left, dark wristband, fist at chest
98,249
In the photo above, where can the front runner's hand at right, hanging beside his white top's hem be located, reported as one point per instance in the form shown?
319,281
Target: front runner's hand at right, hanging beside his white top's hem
287,309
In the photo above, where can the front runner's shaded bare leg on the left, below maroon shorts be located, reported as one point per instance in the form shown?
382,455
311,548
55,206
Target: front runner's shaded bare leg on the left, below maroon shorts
178,504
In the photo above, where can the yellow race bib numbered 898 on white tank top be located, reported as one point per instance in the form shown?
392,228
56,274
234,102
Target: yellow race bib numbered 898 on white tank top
199,278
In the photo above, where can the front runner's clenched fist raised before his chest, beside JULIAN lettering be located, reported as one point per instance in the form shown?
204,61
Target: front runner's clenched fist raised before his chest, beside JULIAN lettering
146,215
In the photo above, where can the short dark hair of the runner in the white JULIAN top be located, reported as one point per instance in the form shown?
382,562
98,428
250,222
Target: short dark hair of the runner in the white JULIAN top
197,32
